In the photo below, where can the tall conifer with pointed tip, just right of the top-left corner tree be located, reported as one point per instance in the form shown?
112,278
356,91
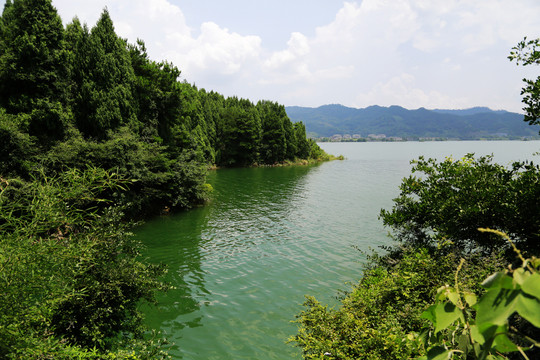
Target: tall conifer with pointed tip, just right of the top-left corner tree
104,100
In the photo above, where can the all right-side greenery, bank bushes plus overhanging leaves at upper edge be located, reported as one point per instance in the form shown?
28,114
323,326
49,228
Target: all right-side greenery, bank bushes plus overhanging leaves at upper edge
455,222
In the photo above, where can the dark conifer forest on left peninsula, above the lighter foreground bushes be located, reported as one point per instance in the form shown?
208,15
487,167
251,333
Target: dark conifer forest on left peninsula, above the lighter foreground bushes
73,97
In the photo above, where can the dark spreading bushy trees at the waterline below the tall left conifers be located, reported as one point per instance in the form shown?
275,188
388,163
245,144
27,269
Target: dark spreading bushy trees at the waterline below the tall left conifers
157,181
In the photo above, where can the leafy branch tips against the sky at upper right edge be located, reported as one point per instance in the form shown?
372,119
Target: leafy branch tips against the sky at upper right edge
527,52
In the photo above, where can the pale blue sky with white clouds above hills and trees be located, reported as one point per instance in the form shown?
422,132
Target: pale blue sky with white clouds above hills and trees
449,54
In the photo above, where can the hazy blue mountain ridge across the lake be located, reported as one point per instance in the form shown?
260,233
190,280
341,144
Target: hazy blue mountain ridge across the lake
396,121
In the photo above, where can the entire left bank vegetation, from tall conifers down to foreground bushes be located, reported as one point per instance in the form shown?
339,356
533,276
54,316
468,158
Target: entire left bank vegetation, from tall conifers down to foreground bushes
94,133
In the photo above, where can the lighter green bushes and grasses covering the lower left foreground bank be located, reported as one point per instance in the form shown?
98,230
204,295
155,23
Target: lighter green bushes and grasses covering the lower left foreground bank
70,278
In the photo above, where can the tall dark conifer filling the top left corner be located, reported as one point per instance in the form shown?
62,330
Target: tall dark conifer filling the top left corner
32,66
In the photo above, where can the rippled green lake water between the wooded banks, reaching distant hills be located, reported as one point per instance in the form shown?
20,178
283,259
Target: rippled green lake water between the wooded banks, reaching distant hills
242,264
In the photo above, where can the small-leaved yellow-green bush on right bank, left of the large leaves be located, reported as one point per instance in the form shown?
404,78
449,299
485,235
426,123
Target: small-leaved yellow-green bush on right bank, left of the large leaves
378,319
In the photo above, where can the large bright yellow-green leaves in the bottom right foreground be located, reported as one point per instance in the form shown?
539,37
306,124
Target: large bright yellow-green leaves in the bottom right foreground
457,333
